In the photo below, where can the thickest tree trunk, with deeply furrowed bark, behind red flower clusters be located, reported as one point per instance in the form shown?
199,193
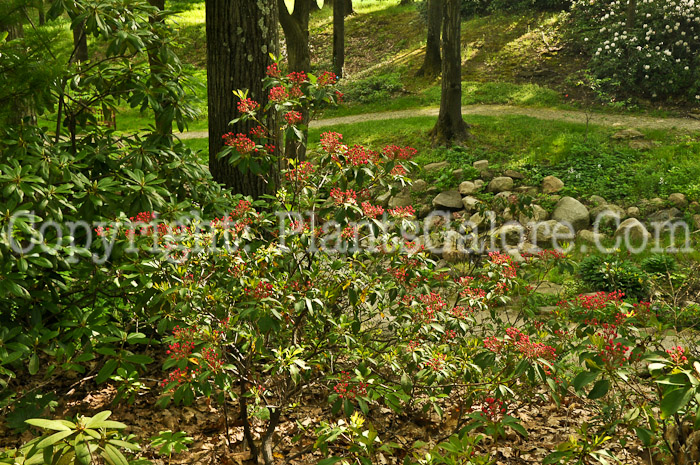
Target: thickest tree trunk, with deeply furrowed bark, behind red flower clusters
240,36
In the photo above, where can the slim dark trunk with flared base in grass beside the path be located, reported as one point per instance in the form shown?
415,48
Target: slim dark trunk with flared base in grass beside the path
450,127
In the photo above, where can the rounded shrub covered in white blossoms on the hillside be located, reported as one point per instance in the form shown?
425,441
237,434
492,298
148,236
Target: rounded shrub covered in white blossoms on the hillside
652,51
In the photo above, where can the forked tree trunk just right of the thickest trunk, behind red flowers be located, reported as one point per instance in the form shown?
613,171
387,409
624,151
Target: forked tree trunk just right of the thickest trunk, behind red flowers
296,33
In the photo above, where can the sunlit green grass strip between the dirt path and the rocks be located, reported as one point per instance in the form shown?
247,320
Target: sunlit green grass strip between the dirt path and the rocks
588,161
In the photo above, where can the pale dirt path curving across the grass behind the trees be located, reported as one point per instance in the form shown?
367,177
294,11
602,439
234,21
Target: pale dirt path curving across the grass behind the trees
548,114
